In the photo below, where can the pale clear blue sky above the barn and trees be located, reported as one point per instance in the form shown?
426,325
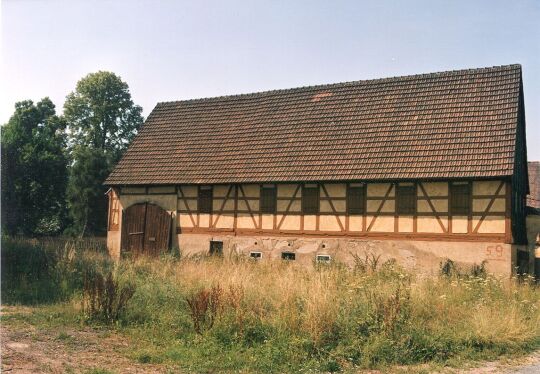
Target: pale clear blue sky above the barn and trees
171,50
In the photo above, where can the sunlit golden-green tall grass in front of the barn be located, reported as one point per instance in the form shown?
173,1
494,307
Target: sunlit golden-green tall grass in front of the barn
235,314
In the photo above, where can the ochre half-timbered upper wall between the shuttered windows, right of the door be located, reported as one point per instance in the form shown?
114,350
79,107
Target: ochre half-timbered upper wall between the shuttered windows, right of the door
432,217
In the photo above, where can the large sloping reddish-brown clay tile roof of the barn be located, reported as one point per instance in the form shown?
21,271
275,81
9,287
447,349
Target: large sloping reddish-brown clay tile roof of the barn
456,124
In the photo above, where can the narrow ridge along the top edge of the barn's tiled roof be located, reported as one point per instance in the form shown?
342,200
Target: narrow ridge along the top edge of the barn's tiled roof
347,83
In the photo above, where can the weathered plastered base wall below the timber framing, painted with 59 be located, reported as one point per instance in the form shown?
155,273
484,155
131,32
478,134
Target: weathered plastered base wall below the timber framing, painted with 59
420,256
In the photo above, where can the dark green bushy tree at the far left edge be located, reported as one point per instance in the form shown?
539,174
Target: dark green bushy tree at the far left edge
34,170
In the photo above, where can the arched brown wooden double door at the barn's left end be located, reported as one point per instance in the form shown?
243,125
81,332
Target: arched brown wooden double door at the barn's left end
146,229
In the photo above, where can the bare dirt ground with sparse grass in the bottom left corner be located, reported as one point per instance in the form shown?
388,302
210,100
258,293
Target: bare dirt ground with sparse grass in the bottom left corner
26,349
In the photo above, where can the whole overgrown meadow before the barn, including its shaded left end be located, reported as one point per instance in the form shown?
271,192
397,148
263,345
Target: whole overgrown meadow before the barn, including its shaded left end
206,314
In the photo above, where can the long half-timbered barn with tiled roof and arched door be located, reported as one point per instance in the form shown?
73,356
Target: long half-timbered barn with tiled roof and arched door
417,168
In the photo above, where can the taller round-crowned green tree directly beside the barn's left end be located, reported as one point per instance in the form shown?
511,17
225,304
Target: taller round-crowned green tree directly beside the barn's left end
102,120
